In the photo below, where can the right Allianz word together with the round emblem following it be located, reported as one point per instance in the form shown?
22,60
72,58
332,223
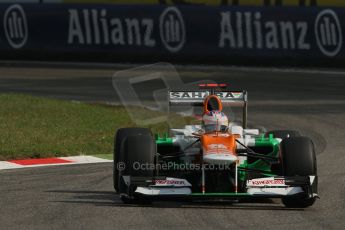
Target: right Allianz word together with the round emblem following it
249,30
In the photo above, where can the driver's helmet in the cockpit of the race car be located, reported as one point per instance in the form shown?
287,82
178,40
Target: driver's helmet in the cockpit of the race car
215,121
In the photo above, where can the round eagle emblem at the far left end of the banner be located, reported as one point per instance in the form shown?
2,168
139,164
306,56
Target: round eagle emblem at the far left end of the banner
16,27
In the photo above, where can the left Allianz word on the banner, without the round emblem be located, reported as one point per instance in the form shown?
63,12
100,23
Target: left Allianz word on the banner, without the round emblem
94,27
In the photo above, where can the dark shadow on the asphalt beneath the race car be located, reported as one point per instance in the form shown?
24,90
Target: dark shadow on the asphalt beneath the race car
111,199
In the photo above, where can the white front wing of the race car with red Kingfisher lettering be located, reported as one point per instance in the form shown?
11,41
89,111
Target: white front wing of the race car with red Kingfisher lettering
272,187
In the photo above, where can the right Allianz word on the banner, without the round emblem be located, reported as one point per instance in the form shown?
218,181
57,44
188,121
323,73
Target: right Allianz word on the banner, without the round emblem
249,30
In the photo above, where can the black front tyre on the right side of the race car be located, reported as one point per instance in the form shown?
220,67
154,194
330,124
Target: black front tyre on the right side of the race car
299,159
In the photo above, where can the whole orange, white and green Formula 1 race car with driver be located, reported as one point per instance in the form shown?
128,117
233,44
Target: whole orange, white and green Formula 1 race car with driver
216,159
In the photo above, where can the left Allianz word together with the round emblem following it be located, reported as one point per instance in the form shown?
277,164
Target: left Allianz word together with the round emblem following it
96,27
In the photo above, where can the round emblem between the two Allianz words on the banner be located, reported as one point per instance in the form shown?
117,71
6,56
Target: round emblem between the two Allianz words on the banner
172,29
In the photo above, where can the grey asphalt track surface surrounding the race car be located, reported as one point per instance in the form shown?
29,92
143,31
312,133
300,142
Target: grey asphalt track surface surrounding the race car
82,196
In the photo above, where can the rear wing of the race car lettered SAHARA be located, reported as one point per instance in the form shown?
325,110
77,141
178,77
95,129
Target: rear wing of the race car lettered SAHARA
197,98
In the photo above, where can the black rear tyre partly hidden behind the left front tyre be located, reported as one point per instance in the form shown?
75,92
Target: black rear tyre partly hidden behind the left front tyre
119,153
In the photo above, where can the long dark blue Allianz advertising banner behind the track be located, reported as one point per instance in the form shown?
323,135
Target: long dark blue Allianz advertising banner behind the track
183,33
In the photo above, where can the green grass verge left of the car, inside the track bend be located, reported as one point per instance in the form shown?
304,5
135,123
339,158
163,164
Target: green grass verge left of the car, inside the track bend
34,127
